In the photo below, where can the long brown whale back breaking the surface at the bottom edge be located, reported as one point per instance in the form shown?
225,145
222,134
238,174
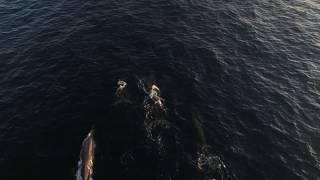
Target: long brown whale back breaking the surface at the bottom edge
87,156
